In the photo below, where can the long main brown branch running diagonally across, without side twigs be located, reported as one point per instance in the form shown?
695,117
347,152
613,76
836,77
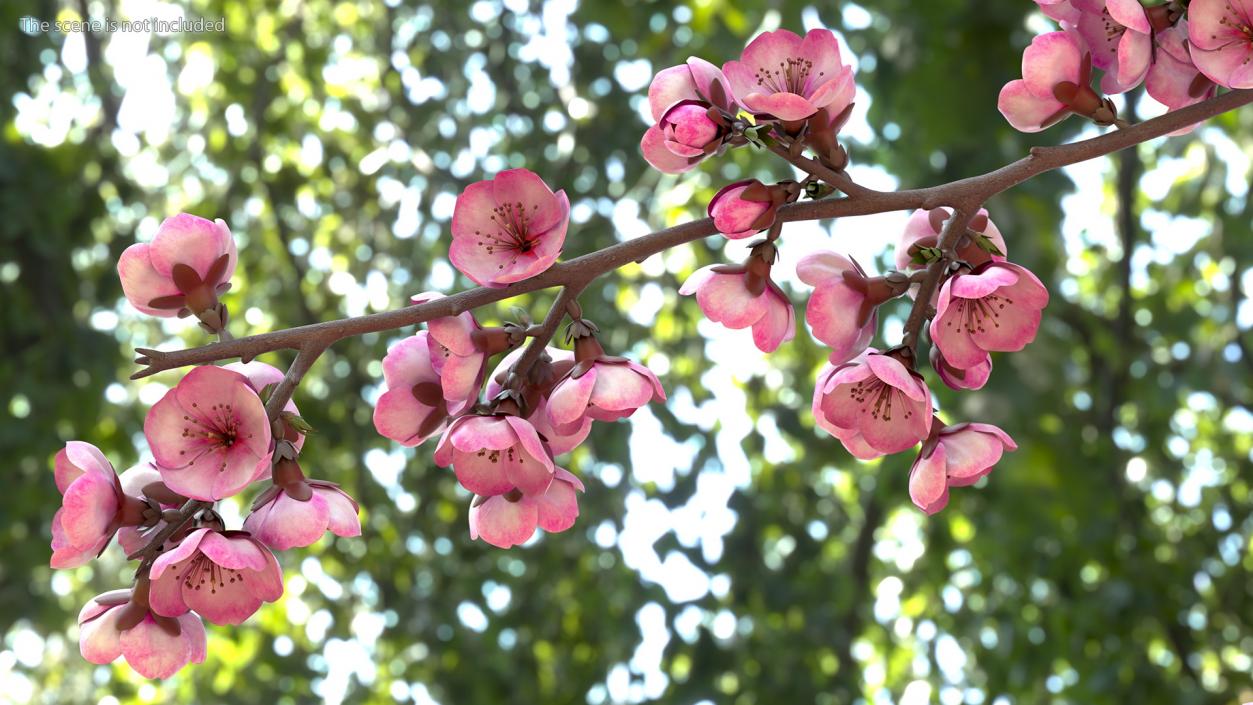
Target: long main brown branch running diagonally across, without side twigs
970,191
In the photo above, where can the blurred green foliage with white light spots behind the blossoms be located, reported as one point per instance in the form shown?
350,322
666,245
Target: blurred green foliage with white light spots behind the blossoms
727,552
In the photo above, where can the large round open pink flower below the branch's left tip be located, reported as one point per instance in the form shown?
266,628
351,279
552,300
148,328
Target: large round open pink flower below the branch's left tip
210,435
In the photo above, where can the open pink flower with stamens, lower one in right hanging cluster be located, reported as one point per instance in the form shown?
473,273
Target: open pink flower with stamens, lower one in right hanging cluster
874,405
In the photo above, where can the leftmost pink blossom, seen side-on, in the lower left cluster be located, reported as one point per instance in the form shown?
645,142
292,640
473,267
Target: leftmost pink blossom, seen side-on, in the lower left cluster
93,505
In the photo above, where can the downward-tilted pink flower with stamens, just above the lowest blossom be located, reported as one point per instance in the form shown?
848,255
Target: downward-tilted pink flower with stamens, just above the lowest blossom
222,575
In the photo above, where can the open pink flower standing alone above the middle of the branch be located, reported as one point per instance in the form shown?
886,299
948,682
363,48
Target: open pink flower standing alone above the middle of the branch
508,229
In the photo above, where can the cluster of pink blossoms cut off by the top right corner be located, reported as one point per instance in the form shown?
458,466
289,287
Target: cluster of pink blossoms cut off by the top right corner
1181,52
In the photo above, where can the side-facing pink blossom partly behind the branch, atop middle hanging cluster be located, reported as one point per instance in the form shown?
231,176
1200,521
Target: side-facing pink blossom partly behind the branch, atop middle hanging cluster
458,354
